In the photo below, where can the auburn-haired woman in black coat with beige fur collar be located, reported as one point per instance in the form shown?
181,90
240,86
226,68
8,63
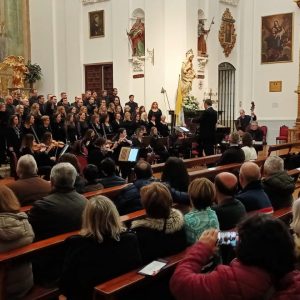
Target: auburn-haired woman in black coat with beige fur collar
161,232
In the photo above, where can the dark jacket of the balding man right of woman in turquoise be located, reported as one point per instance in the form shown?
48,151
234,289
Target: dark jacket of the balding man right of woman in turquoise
230,213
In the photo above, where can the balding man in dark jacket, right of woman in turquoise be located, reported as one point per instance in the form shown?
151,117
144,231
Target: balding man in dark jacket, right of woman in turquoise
229,210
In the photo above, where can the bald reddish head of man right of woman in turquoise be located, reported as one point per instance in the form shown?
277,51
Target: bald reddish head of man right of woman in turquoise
226,184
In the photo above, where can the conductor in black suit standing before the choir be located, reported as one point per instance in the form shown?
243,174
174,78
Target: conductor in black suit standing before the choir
207,129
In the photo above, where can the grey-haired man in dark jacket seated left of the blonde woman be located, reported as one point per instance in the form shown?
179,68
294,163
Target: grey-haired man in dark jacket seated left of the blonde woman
57,213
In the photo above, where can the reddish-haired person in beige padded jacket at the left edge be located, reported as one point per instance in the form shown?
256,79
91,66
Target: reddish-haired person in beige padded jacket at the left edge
15,232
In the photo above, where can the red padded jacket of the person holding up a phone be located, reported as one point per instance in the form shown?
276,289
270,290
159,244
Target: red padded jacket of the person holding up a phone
236,281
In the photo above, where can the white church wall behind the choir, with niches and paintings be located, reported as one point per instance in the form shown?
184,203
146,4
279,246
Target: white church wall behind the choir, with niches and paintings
60,43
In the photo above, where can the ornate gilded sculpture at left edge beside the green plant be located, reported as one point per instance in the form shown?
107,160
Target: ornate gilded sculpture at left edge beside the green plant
16,63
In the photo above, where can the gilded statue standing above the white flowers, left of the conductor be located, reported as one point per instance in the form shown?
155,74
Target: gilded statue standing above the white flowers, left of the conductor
187,74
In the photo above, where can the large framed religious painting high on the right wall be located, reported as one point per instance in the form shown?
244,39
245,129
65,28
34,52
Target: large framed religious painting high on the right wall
277,38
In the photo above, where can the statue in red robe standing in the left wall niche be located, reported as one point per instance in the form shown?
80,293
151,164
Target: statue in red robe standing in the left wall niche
136,36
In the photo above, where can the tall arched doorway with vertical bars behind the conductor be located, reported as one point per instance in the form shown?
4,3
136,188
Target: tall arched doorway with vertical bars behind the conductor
226,91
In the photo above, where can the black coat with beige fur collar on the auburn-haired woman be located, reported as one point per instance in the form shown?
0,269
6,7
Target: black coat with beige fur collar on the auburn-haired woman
159,237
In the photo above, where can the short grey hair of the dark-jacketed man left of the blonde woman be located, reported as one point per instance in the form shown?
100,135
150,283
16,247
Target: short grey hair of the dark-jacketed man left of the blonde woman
63,175
